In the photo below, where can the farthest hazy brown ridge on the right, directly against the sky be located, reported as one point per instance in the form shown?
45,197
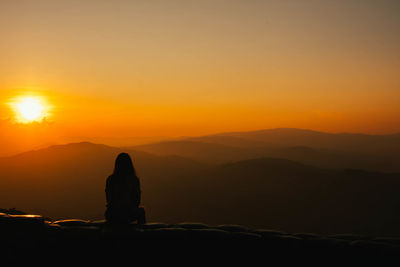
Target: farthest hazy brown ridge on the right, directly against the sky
372,152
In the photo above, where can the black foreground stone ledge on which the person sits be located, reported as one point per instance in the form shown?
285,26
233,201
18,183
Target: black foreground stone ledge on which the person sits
33,237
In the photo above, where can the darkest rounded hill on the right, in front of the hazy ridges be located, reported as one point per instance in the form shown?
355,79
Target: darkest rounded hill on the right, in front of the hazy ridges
290,196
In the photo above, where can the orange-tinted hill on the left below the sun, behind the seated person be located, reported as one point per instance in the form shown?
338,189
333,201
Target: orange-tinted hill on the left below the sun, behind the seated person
69,180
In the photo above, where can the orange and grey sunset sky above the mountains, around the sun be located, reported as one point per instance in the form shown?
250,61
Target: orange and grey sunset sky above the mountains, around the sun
118,69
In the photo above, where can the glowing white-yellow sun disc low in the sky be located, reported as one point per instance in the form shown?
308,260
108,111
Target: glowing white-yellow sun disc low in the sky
29,109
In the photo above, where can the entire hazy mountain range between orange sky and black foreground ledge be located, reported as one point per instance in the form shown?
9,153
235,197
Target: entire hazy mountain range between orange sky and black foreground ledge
287,179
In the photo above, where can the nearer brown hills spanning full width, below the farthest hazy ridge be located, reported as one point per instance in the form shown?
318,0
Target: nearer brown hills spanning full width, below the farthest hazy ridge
68,181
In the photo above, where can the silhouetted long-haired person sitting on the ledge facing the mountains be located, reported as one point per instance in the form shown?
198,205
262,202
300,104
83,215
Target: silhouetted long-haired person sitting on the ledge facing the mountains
123,193
